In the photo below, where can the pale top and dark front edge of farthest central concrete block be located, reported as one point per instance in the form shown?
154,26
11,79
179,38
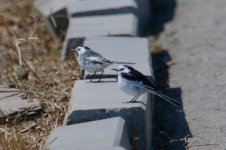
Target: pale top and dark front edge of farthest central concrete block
101,7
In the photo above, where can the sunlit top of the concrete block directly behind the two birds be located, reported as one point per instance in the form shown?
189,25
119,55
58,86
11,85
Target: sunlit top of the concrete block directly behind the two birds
123,49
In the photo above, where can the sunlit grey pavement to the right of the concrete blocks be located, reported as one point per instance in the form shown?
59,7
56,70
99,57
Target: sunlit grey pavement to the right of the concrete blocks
196,40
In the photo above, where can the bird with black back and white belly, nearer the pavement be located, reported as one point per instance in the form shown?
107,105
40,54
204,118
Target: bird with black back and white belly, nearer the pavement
134,83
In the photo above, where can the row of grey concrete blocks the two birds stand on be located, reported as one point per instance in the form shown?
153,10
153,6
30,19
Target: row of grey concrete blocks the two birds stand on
109,28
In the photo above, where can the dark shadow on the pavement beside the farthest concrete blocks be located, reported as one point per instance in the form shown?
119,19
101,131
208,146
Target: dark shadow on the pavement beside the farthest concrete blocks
162,11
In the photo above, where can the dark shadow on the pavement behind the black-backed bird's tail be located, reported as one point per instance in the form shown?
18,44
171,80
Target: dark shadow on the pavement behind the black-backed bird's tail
170,128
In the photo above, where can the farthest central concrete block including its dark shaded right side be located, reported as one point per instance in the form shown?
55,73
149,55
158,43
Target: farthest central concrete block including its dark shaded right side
88,8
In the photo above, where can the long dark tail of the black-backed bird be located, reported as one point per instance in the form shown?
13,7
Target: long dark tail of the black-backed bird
166,98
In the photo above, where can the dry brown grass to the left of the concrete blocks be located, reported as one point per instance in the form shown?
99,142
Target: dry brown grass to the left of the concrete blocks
30,61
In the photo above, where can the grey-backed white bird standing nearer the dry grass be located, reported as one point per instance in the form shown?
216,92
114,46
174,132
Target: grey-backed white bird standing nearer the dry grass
92,61
